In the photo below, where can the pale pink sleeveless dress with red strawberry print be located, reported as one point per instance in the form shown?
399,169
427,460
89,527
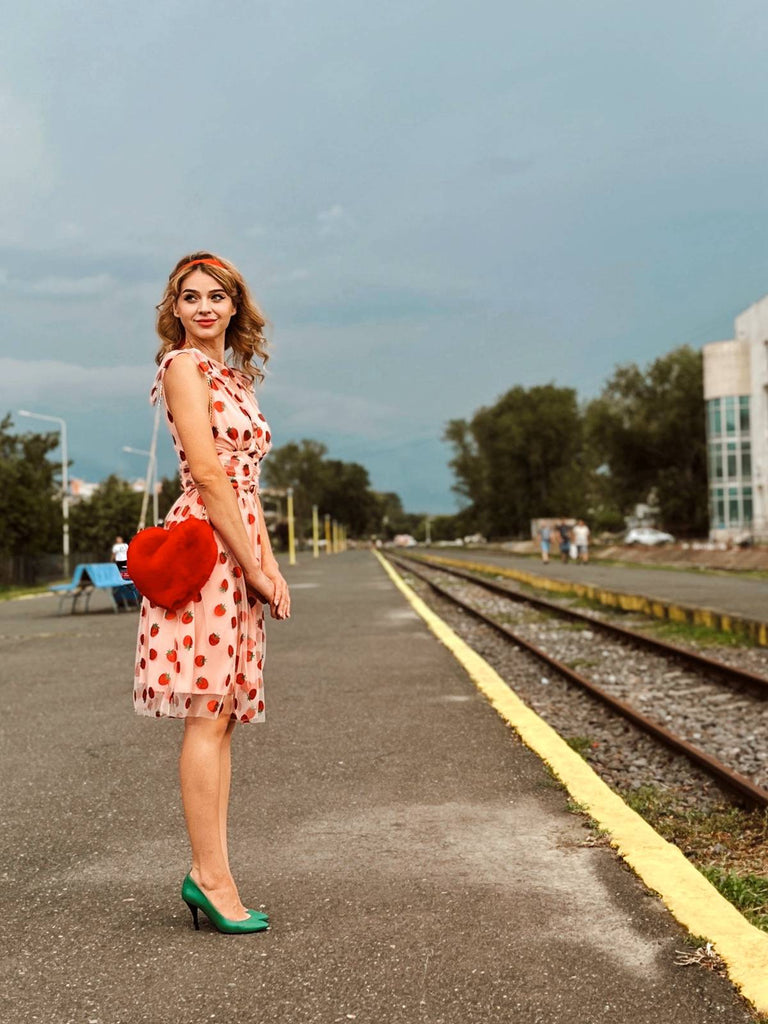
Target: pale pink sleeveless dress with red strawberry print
189,661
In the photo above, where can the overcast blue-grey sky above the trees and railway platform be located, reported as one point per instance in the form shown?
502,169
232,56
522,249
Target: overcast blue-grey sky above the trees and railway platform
433,200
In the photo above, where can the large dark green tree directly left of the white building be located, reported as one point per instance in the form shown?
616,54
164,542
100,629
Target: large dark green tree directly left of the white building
647,432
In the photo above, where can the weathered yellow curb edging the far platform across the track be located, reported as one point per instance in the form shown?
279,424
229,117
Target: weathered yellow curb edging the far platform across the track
756,630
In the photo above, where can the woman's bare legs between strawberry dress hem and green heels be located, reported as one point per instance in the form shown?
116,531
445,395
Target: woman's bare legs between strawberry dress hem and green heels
201,775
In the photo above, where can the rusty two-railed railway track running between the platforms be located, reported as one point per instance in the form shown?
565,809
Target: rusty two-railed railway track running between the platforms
709,681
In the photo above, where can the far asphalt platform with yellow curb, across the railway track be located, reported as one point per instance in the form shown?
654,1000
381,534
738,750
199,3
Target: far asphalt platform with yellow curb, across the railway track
722,601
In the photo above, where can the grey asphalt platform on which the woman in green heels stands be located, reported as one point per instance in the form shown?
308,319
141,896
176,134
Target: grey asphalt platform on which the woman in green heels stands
419,862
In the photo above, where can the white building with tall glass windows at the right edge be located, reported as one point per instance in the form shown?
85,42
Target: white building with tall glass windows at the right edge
736,383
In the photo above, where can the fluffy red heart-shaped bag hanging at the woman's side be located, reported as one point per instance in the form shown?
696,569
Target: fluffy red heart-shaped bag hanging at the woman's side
170,567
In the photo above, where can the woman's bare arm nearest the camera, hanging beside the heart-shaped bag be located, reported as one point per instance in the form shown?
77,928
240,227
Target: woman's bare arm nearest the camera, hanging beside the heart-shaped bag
187,398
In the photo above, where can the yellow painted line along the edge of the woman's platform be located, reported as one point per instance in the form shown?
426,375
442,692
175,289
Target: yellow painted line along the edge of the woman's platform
687,893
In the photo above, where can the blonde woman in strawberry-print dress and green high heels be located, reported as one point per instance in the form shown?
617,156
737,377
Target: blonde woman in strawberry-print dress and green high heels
204,662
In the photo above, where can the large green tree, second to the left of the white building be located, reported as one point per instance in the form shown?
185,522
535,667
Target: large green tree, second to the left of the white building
520,459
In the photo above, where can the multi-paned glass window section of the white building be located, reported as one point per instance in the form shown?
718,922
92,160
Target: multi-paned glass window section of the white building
730,454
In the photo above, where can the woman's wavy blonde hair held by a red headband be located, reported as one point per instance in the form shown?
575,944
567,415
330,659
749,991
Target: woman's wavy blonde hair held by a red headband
245,335
